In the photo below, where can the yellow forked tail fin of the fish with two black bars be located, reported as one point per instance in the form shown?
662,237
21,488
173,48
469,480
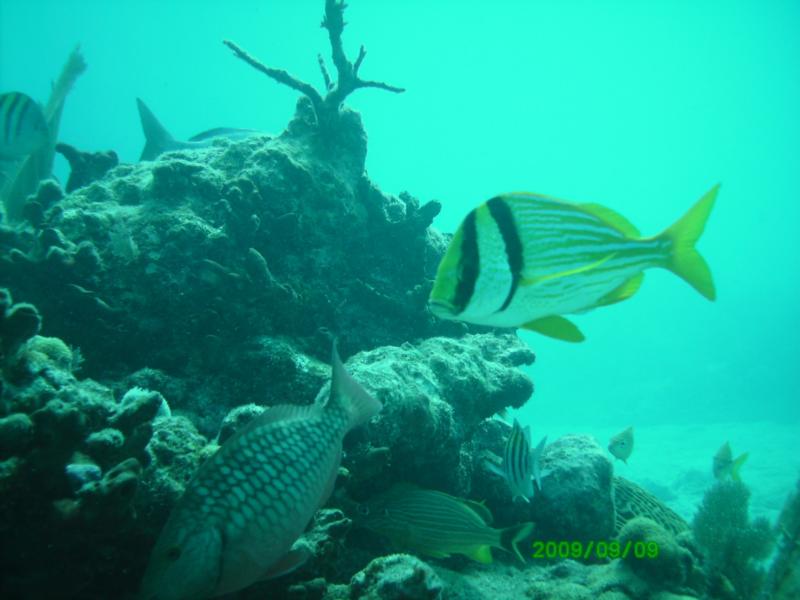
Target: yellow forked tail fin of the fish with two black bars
684,260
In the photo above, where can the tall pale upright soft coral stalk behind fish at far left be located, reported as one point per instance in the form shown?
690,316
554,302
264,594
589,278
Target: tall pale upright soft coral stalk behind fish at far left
23,178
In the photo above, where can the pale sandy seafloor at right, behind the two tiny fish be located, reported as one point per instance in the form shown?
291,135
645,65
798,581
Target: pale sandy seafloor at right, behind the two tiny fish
674,461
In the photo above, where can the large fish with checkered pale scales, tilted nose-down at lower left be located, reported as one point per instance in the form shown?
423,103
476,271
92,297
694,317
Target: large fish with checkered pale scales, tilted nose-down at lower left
240,515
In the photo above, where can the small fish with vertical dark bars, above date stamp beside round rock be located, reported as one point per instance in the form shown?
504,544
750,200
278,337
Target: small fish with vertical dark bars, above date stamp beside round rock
521,465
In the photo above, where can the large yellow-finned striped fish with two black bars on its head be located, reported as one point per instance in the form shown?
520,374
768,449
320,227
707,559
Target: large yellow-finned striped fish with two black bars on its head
524,260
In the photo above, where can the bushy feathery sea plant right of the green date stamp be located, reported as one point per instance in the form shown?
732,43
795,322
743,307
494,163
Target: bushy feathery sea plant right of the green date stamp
734,545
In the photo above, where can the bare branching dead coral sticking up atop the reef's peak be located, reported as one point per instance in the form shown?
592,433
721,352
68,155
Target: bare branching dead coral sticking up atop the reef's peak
326,107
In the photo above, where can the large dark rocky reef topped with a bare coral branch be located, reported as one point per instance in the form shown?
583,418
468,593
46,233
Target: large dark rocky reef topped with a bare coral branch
163,305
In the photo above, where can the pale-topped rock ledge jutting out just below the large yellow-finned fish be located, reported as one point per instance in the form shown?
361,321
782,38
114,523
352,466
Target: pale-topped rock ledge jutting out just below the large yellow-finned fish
434,394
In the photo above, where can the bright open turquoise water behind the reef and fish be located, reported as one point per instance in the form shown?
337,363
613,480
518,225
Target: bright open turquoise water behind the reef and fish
641,106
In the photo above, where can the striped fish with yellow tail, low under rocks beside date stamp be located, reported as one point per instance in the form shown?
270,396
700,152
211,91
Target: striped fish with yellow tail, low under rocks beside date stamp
436,524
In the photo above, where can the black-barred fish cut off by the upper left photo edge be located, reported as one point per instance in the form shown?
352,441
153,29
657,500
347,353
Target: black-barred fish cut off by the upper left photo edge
23,128
